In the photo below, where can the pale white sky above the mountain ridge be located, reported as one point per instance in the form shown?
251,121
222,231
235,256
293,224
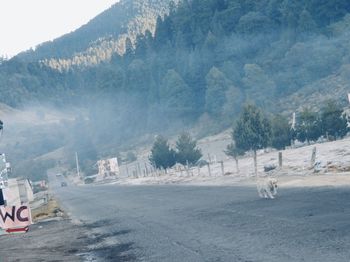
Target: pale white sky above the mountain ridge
27,23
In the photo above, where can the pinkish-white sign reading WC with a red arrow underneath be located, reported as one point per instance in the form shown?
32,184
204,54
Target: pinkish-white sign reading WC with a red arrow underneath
15,219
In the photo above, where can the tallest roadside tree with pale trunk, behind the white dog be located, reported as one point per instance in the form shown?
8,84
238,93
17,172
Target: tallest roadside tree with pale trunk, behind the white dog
252,131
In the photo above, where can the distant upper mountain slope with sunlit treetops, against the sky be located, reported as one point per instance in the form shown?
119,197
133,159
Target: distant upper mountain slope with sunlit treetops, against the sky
103,36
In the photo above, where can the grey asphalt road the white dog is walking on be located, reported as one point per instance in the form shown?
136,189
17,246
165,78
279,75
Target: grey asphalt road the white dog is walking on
186,223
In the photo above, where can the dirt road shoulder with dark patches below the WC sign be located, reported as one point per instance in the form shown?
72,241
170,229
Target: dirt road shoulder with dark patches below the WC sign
61,240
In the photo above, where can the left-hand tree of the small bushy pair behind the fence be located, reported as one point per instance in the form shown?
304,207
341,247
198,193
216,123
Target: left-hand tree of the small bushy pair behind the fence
162,156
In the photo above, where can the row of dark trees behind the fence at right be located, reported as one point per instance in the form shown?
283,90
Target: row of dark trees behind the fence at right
254,130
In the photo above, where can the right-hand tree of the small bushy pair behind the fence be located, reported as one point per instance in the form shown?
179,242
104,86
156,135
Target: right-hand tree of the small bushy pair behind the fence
186,150
